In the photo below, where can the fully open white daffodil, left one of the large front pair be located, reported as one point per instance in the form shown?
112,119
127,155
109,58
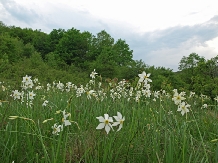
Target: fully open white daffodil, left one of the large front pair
105,123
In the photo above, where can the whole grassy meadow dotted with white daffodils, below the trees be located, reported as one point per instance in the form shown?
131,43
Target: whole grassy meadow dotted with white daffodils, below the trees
111,121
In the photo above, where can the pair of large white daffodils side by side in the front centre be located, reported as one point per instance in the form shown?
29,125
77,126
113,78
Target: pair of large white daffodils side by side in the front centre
107,122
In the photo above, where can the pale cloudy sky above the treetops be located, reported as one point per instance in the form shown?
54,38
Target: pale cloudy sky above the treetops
160,32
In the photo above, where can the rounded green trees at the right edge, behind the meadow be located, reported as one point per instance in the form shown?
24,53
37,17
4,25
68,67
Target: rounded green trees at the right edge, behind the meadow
200,75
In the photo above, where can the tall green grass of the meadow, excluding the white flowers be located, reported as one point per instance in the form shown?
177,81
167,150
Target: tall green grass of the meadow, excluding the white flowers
153,131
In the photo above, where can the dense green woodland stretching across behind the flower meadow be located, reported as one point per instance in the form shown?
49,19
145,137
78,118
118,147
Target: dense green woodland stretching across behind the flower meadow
70,55
